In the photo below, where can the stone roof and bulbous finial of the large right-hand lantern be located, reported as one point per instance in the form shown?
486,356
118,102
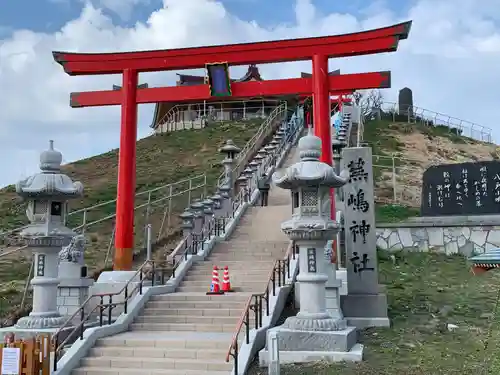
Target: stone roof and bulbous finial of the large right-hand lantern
309,171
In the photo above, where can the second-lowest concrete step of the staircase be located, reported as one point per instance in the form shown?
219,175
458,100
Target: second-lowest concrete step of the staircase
158,363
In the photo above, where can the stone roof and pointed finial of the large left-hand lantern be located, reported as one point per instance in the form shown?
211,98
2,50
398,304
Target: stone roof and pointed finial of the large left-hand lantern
50,182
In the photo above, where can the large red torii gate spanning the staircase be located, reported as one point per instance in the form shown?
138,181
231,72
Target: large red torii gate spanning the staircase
130,64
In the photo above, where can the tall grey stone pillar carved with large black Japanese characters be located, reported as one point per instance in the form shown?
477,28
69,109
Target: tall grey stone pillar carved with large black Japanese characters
365,304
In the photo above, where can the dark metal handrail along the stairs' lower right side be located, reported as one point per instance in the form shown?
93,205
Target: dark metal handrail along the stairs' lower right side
256,302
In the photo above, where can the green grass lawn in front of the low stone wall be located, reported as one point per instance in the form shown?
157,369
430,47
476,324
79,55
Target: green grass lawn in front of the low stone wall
426,292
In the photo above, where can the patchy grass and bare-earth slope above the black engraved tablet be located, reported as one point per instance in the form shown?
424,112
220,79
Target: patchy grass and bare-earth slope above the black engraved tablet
412,148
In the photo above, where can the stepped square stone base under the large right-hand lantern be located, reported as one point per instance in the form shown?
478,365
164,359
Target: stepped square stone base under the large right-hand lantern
311,346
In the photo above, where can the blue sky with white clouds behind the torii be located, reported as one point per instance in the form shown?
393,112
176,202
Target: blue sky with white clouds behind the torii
450,60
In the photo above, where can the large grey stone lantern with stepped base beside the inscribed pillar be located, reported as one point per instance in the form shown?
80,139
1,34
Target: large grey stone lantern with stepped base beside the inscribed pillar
313,329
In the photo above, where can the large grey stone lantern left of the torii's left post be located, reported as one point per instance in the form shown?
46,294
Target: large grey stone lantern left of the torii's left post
47,194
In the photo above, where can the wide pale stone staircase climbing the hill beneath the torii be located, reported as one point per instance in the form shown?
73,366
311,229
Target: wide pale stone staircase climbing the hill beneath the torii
188,332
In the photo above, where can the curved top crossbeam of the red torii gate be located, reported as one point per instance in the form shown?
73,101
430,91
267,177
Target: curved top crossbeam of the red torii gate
385,39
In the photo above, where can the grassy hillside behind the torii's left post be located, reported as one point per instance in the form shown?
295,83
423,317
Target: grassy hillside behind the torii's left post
161,159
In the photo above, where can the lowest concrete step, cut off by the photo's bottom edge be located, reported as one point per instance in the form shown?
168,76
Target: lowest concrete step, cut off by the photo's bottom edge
142,371
